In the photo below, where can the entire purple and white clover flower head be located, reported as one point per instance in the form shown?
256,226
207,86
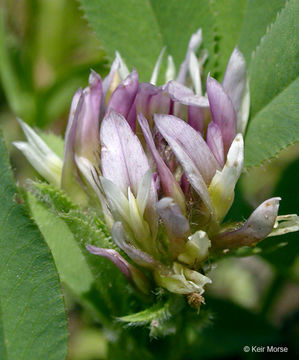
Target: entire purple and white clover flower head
163,162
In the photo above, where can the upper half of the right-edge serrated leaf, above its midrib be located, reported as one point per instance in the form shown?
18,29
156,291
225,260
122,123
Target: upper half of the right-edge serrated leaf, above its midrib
275,64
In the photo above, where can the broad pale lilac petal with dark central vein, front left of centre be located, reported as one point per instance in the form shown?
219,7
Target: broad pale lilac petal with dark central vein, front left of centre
122,158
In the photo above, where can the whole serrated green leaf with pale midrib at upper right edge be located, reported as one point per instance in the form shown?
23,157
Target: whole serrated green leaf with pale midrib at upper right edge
274,88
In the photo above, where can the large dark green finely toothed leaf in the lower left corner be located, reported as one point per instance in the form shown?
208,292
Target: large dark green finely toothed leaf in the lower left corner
32,315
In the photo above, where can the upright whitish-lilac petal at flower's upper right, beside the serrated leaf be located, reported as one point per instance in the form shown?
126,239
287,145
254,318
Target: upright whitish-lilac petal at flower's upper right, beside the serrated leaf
234,81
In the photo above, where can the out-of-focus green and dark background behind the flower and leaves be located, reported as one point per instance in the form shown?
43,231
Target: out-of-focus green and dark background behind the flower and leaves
46,52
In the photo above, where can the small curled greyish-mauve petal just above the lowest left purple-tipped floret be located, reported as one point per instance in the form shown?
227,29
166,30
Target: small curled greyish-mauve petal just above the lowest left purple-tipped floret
138,256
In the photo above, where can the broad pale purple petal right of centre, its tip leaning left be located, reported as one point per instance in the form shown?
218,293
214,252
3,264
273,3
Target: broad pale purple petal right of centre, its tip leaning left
191,151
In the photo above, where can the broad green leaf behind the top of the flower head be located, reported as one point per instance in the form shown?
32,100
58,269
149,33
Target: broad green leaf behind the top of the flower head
141,28
